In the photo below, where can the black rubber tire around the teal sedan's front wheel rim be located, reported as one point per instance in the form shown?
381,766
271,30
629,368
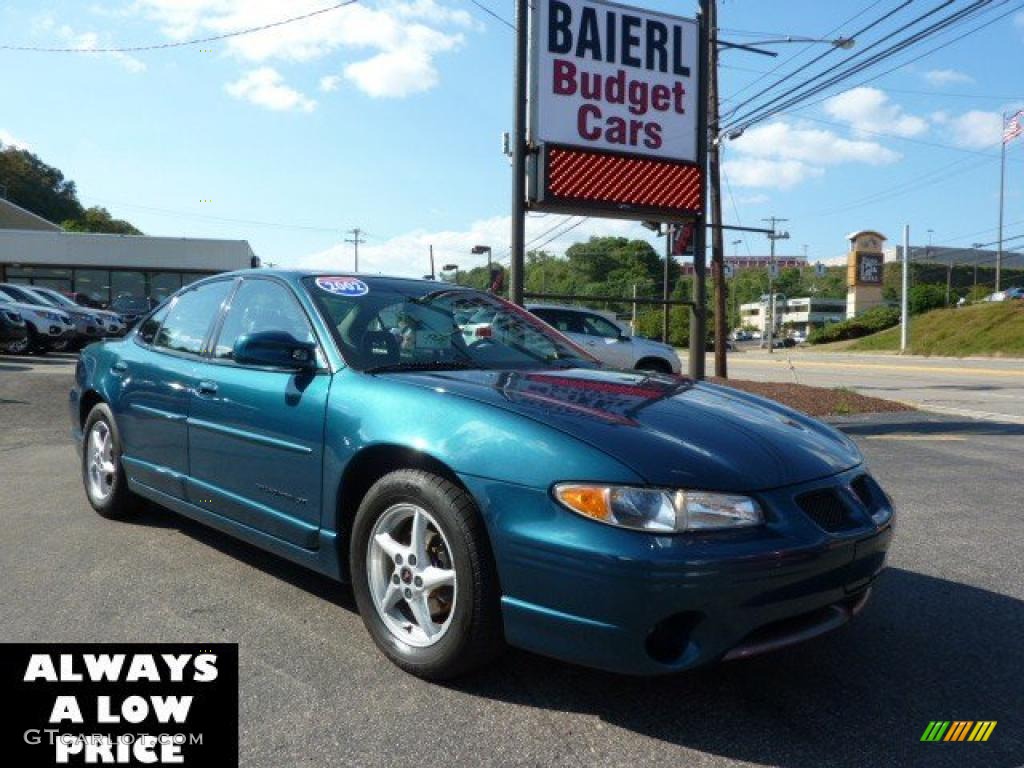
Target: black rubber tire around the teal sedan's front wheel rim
475,635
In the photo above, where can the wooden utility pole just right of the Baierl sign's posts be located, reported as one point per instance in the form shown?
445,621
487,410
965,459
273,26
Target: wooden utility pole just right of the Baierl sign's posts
715,189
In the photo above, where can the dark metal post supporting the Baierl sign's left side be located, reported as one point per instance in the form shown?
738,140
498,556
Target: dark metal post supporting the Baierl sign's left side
518,241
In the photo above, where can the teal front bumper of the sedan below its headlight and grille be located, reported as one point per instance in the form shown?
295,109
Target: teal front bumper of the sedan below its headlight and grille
648,605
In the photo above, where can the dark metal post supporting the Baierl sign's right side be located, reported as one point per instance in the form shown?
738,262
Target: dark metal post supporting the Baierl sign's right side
698,314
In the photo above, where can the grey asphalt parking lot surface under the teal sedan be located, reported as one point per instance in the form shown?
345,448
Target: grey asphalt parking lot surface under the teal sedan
943,639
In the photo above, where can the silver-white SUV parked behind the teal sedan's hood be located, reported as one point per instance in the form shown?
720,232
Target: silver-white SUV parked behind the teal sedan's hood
602,335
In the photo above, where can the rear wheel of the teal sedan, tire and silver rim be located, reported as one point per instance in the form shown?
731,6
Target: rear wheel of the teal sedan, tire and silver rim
103,474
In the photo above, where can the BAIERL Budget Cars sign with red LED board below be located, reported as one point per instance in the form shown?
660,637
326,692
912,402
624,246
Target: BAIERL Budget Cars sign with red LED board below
614,110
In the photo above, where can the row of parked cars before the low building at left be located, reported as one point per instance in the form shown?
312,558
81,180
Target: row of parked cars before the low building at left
35,320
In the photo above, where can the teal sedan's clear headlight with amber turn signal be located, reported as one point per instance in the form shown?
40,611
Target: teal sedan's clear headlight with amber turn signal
658,510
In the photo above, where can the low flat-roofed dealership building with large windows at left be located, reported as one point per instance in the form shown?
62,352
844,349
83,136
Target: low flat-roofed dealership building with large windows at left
104,268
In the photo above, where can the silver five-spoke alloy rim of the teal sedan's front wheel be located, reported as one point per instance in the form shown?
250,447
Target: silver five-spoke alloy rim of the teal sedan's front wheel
412,576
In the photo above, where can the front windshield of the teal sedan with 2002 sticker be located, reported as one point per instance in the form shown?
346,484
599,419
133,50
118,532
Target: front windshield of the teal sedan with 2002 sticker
393,329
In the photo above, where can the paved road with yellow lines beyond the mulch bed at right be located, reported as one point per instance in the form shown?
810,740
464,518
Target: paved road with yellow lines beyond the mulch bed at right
976,388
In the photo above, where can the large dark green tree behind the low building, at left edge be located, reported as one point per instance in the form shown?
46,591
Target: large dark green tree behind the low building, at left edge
37,187
